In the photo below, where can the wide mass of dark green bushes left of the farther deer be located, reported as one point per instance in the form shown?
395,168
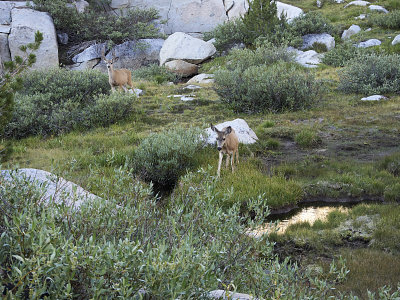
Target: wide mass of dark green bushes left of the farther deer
57,101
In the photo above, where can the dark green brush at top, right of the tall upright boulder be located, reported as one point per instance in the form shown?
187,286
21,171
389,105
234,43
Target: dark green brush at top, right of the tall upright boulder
97,23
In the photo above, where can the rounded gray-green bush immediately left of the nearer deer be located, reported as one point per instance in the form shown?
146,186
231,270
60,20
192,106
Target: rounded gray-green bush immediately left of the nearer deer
162,158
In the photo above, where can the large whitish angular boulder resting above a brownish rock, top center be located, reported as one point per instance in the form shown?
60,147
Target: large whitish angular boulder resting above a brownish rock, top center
185,47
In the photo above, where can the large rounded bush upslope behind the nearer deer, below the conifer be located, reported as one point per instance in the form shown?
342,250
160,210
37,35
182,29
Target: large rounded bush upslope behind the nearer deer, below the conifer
264,81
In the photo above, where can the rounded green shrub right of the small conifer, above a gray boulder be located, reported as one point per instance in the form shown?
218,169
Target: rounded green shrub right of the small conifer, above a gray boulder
312,22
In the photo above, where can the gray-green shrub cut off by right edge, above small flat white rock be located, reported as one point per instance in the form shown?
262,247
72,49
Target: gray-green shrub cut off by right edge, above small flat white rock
371,74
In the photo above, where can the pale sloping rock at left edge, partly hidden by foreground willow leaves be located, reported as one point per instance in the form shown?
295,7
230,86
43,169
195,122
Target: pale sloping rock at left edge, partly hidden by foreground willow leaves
55,189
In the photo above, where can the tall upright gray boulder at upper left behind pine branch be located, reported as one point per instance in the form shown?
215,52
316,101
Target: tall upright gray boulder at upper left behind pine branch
25,22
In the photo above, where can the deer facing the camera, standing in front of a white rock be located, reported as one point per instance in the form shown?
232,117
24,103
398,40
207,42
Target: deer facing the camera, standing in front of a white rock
227,143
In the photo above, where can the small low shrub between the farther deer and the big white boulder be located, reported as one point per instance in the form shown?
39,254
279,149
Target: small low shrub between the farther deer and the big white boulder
156,73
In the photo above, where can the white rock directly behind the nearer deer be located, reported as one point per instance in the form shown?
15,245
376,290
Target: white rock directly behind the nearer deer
245,134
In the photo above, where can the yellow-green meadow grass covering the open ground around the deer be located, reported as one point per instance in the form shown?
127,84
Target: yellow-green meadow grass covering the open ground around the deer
341,148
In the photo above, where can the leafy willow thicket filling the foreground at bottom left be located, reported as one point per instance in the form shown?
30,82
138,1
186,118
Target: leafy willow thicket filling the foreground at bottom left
125,247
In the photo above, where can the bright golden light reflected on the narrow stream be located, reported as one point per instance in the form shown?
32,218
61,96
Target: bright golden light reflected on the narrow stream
307,214
